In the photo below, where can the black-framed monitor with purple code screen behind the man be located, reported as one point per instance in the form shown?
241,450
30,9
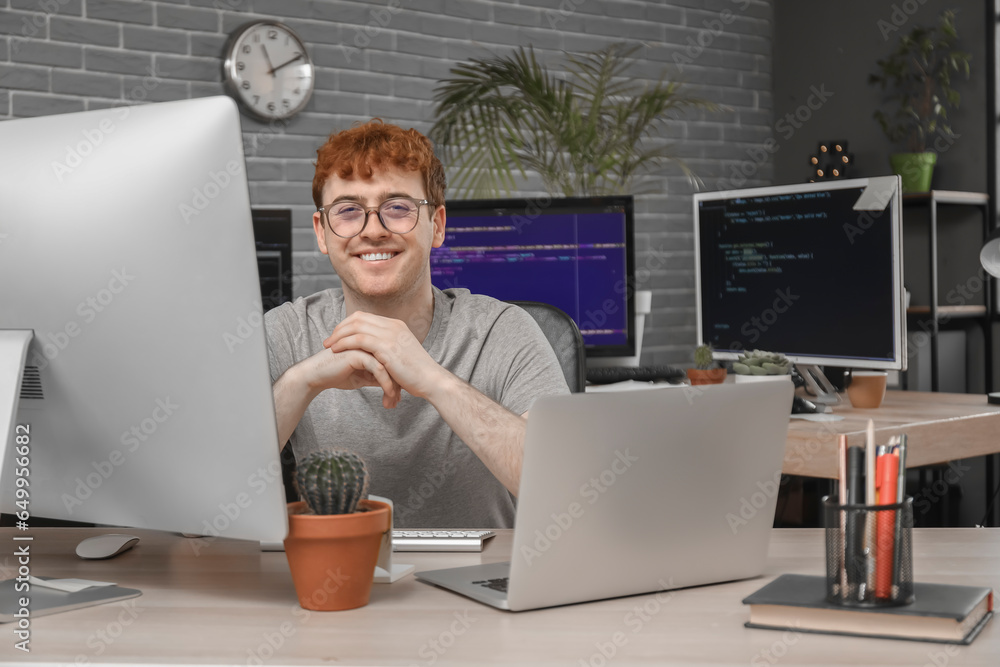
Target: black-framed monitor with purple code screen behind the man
573,253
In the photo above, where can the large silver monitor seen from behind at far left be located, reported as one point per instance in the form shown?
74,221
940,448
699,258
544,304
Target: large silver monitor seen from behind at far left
127,256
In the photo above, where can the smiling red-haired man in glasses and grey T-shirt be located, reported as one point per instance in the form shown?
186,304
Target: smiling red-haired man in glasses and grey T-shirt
431,388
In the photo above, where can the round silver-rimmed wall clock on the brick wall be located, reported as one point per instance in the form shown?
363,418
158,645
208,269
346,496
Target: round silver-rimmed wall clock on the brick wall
268,70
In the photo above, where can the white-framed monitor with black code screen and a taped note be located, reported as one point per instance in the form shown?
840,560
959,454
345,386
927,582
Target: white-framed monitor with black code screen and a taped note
812,270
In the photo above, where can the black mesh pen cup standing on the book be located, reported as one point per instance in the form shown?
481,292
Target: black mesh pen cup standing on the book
869,553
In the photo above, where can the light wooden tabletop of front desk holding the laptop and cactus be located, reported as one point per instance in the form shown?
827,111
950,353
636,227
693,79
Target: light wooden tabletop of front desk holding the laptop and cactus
232,604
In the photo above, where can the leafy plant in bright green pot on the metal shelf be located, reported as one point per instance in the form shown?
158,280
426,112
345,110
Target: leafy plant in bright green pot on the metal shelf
917,78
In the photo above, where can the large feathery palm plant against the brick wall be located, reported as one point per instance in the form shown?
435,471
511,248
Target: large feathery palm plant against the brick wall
585,134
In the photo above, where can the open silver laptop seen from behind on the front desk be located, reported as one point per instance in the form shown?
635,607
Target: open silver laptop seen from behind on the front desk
637,492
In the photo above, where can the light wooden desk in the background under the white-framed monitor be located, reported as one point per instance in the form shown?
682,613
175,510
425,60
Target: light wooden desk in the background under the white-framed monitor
939,427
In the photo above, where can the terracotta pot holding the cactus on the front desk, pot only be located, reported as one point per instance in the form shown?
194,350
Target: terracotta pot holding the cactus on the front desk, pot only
333,557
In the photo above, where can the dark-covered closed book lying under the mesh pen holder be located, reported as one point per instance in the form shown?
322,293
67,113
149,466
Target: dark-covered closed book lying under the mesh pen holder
939,613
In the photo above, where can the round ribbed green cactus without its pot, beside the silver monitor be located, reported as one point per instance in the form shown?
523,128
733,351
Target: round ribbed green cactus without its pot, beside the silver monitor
332,481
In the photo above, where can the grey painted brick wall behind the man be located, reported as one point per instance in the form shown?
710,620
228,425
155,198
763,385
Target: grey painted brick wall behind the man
384,57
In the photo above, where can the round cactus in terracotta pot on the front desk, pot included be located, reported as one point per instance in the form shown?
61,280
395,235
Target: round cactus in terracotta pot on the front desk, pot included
334,534
